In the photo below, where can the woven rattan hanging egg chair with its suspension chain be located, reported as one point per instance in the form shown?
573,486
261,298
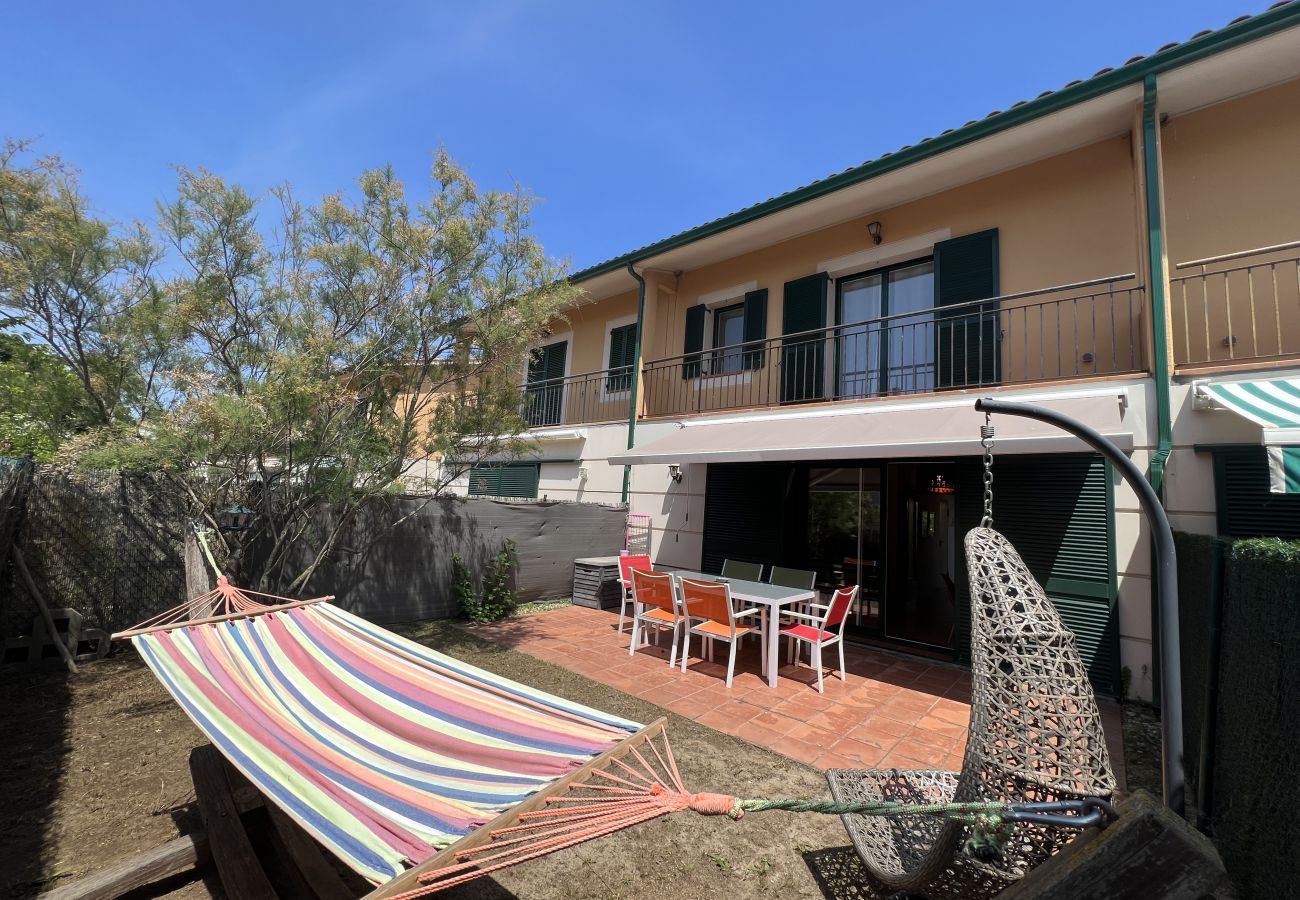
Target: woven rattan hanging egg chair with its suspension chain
1035,735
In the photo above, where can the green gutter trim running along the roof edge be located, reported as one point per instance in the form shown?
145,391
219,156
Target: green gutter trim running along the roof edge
1171,57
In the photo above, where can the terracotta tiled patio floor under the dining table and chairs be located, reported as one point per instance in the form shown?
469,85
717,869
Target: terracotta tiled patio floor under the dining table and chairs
892,711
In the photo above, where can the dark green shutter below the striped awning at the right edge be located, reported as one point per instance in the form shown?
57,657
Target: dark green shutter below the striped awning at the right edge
1246,508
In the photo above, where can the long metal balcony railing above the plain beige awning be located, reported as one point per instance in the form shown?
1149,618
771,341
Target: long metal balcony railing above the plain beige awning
1072,331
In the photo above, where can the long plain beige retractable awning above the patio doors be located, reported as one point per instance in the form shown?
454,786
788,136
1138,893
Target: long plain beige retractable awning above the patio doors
917,430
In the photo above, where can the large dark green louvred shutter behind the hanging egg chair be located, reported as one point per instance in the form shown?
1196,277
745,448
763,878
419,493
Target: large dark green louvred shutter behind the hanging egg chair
1059,513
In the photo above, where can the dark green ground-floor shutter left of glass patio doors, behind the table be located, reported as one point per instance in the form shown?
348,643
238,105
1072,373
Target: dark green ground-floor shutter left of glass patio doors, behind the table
744,507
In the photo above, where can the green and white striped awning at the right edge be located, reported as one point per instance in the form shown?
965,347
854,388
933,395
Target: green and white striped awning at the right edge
1275,405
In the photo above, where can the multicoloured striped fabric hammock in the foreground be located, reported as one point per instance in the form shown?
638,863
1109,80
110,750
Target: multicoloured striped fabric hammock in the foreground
383,750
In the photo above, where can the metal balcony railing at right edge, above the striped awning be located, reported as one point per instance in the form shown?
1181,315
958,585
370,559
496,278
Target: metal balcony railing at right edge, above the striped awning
1238,308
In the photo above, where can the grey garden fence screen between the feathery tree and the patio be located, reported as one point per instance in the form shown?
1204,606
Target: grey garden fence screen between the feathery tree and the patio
406,573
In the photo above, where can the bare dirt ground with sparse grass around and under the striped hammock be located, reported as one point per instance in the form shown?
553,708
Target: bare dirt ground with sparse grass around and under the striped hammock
98,771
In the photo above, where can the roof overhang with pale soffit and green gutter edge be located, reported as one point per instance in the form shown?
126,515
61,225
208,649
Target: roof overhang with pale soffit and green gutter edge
1243,58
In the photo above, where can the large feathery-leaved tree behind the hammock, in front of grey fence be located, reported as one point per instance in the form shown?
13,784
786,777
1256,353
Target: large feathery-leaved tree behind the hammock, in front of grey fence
311,364
